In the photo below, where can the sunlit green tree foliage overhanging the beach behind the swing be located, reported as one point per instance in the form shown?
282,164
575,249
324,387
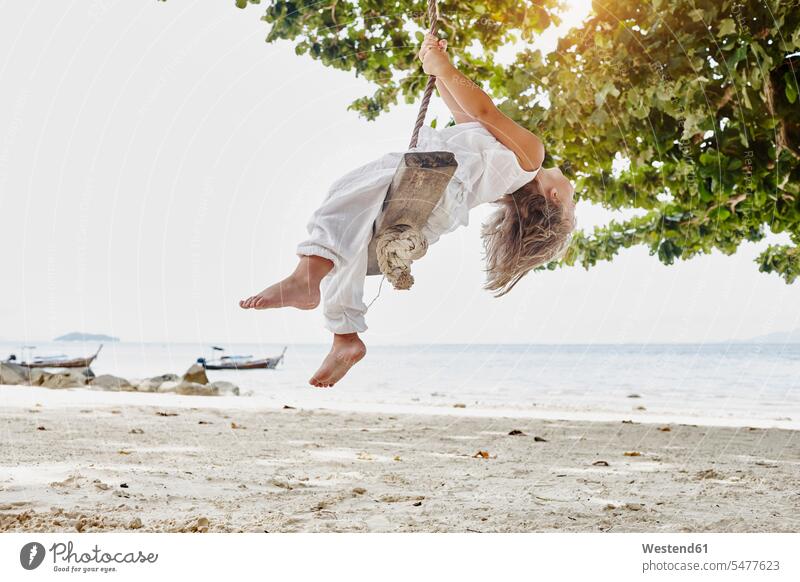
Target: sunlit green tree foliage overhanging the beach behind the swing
685,113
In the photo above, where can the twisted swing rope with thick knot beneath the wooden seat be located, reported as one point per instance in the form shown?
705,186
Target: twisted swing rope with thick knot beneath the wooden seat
399,245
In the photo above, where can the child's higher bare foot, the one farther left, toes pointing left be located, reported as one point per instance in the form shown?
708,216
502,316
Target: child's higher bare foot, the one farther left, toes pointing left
300,289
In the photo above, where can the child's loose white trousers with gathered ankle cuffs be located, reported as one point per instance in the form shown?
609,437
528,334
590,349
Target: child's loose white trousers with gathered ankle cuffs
340,230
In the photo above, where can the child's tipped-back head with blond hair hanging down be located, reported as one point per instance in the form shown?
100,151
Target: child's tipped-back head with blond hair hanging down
526,232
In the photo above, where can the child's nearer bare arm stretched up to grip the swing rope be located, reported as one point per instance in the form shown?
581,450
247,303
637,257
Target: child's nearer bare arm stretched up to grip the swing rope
477,105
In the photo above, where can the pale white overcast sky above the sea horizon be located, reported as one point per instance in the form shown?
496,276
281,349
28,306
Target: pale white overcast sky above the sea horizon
159,161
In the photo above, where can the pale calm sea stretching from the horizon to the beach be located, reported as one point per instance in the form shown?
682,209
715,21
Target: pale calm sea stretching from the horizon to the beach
724,384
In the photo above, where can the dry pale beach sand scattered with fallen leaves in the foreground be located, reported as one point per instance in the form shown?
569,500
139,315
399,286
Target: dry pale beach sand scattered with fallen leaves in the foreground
119,468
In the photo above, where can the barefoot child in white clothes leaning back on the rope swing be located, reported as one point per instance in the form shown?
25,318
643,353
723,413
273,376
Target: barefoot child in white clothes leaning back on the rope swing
498,161
